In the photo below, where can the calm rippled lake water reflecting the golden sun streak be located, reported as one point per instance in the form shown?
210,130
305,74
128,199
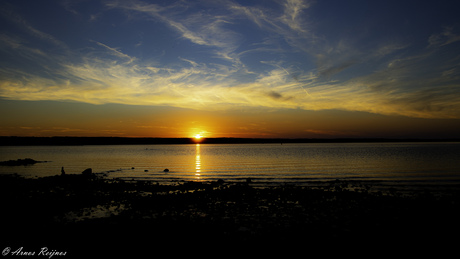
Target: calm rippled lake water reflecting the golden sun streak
428,163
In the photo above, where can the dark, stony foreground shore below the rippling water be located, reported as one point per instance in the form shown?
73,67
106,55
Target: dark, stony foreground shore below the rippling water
87,216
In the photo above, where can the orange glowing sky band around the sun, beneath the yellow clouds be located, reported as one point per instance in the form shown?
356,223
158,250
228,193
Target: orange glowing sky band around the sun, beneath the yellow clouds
66,119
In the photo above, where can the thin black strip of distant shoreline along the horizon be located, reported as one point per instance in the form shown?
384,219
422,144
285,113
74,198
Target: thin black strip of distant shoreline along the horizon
72,141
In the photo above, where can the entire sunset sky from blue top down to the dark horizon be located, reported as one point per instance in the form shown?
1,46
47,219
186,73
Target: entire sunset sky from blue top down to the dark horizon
229,68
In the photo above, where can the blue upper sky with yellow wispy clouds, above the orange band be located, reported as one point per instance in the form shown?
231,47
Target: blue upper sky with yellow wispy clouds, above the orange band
388,58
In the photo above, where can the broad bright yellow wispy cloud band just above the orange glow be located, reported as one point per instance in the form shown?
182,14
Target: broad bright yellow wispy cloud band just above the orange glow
199,86
